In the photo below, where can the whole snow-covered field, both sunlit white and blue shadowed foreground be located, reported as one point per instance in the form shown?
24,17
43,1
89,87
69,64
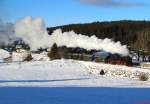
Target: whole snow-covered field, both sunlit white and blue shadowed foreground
70,82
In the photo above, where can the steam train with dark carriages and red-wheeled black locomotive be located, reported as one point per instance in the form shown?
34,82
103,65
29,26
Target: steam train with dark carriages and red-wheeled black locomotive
96,55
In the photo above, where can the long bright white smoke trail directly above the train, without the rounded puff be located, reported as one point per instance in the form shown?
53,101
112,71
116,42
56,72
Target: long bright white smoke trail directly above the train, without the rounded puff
71,39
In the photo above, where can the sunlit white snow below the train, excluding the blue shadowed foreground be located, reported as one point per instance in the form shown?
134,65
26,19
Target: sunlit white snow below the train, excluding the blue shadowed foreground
64,73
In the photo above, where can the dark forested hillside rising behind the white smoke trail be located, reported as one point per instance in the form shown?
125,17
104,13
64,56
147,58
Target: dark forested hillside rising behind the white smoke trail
133,33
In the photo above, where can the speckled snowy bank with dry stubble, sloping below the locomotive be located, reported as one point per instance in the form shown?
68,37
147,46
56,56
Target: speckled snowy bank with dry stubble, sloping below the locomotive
116,70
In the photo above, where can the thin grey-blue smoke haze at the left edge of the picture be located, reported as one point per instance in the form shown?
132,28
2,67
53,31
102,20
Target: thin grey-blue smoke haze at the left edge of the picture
6,33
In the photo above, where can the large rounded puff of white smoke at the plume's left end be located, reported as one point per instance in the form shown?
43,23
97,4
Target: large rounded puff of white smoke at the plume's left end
33,32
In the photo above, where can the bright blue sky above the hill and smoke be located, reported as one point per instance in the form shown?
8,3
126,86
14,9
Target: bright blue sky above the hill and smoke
61,12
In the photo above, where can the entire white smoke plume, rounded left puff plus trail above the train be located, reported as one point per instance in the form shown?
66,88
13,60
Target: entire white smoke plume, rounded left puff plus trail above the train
33,32
